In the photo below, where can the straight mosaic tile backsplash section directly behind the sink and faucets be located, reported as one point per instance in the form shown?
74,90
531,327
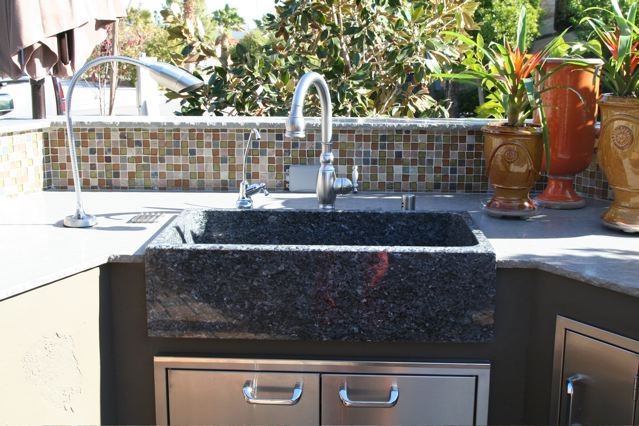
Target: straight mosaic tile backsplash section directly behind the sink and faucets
210,159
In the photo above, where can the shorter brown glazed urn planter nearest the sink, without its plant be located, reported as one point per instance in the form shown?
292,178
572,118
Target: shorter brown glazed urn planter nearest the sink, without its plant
513,160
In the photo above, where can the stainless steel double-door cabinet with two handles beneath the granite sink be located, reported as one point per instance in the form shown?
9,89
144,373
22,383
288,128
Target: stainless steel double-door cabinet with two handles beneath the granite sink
296,392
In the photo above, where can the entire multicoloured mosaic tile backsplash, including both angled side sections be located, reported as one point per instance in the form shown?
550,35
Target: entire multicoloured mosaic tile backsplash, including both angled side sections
396,155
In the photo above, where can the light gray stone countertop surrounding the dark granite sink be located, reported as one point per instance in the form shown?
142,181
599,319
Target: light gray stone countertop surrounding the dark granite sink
37,250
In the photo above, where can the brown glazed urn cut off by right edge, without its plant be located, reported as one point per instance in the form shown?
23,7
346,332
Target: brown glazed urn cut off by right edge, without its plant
619,159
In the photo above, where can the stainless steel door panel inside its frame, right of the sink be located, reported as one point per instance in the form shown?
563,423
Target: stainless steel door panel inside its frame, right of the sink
598,382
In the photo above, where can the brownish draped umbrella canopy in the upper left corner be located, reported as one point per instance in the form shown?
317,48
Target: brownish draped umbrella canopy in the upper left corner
52,37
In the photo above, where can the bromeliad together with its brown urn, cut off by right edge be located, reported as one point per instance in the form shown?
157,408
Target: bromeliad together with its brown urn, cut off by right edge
619,137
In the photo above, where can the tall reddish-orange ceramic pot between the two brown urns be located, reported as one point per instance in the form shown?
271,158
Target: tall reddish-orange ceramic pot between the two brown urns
571,128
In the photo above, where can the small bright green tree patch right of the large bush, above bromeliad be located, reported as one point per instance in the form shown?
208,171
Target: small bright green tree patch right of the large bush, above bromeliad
497,19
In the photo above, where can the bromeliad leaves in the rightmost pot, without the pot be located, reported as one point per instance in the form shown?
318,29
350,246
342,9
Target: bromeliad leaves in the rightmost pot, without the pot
621,40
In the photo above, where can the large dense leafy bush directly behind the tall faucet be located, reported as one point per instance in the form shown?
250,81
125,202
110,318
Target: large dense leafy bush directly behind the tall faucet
376,55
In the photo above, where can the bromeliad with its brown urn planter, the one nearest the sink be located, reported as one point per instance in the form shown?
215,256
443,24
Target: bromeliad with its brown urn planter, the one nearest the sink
513,149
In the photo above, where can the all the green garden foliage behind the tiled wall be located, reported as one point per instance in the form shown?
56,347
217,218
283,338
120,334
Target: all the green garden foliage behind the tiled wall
377,56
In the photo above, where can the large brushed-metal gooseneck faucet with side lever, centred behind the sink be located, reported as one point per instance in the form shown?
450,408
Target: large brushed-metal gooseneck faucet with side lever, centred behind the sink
328,184
